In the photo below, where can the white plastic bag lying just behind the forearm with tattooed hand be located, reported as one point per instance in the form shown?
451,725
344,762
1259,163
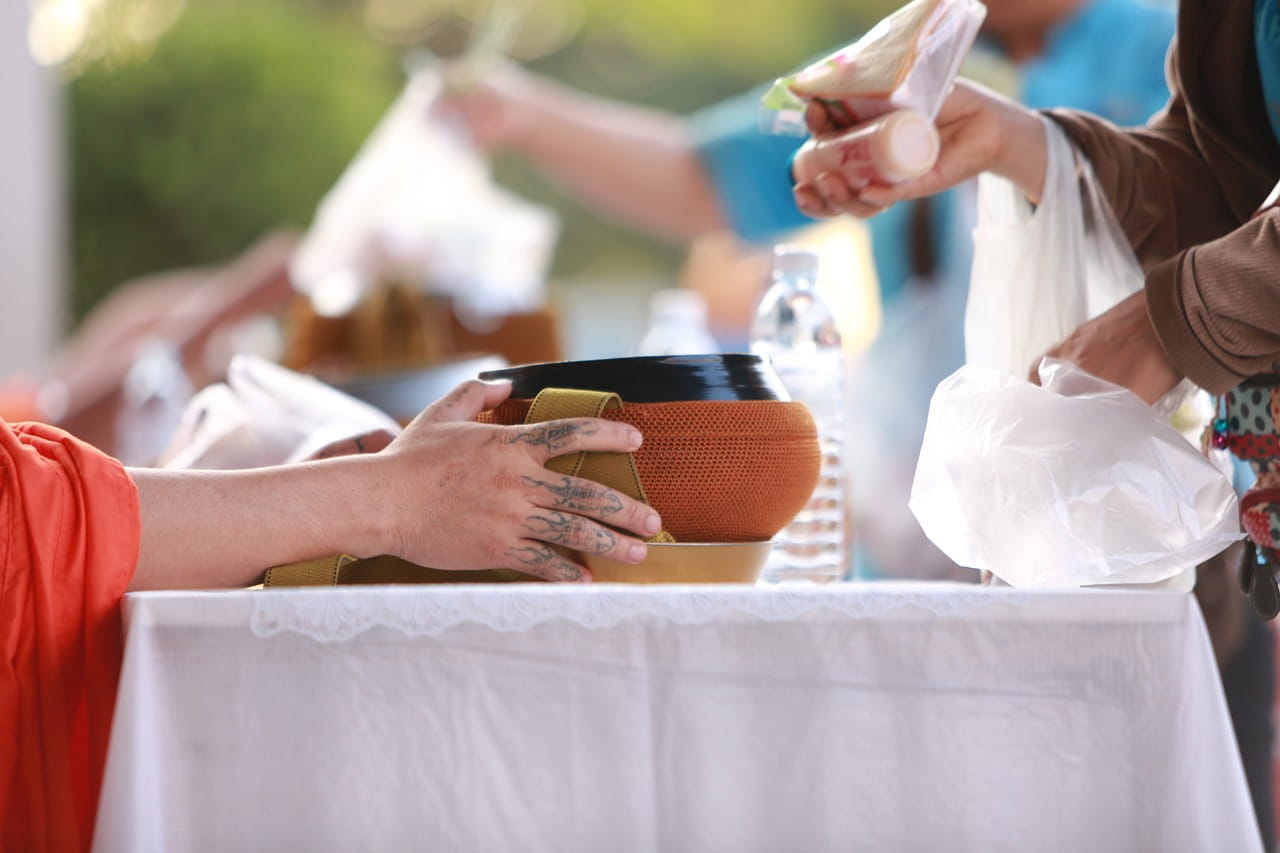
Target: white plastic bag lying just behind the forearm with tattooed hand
267,416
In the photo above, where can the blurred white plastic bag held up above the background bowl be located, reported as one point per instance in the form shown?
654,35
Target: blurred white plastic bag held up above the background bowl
419,203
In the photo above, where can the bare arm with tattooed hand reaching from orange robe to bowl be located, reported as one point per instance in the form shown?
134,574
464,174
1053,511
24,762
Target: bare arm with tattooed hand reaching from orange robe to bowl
447,494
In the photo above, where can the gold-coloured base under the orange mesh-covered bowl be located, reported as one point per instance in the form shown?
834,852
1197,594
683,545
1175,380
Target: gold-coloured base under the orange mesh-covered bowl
683,563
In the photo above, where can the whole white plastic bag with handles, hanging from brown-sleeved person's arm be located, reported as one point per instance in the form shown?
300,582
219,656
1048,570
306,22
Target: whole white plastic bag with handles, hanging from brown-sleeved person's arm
1080,482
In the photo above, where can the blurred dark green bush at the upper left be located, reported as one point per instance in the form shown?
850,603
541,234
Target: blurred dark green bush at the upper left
237,124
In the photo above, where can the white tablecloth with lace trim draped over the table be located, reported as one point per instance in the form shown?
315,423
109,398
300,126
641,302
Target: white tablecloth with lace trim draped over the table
538,718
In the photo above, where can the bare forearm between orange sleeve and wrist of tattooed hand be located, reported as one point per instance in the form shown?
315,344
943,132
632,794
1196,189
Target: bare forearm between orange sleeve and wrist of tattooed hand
209,530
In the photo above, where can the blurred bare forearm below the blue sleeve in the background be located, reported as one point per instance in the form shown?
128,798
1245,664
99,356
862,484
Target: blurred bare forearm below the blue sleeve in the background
637,165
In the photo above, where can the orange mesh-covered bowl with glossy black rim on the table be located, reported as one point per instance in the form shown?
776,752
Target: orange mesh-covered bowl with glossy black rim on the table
726,457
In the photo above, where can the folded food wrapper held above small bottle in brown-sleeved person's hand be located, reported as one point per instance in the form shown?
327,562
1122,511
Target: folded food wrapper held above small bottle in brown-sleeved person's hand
908,61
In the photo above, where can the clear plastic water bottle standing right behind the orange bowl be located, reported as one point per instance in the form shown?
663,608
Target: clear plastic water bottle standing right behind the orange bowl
797,330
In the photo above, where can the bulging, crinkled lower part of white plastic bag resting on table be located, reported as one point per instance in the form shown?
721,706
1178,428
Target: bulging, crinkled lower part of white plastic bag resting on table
1073,483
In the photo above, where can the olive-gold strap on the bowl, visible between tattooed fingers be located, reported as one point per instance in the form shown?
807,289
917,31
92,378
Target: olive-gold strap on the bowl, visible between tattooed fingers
615,471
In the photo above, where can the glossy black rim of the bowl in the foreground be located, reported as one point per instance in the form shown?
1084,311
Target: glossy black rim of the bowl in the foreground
653,378
